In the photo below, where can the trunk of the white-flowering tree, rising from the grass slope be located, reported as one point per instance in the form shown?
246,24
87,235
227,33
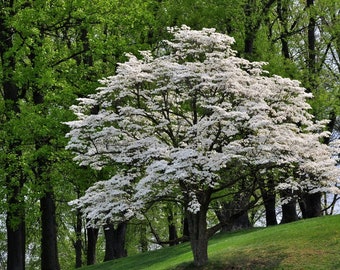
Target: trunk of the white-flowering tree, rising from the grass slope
198,232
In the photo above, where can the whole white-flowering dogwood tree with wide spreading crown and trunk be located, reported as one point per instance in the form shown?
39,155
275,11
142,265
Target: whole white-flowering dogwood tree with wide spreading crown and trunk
173,124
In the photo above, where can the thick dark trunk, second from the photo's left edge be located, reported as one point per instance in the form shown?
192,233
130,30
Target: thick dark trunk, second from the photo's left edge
49,250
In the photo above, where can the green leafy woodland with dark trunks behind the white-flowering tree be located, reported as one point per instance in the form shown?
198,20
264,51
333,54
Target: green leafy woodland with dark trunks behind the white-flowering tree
53,52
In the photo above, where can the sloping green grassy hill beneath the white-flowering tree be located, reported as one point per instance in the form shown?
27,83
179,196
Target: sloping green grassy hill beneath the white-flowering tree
306,244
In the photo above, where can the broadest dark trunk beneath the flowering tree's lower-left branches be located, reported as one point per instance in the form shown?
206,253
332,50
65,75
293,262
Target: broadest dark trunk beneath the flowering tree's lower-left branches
115,241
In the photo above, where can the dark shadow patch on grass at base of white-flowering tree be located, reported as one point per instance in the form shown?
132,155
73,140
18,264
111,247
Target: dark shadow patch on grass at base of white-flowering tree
239,261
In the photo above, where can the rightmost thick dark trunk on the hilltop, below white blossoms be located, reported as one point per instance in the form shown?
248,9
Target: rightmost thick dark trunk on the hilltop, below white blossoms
310,205
